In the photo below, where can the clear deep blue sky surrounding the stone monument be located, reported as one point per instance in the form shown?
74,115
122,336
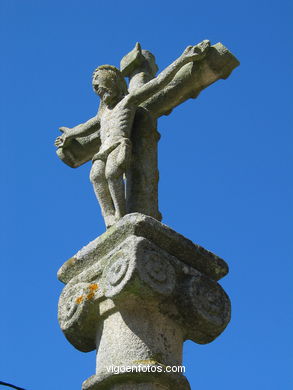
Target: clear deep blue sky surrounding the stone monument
224,176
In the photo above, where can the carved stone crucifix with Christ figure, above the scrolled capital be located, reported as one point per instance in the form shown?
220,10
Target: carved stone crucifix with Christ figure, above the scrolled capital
122,138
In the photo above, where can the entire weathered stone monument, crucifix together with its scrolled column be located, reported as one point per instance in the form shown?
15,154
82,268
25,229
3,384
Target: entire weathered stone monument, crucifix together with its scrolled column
138,291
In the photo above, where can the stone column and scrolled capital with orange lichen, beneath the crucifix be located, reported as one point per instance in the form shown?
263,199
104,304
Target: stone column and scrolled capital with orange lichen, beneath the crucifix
135,294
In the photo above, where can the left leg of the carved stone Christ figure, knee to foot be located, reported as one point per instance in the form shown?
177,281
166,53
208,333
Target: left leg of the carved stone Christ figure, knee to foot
98,179
